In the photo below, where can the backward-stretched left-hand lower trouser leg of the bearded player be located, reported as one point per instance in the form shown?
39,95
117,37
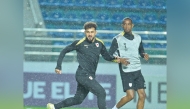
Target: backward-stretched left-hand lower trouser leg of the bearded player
80,95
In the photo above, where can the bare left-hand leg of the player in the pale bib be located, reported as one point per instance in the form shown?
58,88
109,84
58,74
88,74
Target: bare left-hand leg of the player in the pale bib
129,96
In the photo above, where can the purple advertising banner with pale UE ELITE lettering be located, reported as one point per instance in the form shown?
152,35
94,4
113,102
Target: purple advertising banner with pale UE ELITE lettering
42,88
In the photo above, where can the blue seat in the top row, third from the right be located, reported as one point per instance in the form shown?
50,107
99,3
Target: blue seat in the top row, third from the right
129,4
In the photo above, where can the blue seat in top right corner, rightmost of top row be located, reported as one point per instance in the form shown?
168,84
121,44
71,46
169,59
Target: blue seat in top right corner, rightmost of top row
159,4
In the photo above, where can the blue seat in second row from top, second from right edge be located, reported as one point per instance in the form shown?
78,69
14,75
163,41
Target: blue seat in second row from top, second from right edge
150,19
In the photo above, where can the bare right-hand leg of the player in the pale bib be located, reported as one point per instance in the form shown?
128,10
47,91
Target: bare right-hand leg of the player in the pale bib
142,95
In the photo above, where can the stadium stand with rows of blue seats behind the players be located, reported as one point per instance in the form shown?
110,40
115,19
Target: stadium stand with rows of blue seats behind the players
147,15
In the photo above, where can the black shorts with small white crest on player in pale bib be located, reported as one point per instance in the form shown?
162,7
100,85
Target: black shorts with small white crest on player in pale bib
133,80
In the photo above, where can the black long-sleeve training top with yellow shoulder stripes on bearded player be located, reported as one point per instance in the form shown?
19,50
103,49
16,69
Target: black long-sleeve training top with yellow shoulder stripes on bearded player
87,54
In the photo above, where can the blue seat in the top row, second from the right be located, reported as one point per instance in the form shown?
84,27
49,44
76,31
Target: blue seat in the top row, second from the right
145,4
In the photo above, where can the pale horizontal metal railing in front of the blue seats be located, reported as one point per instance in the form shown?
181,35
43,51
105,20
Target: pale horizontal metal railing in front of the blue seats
44,38
